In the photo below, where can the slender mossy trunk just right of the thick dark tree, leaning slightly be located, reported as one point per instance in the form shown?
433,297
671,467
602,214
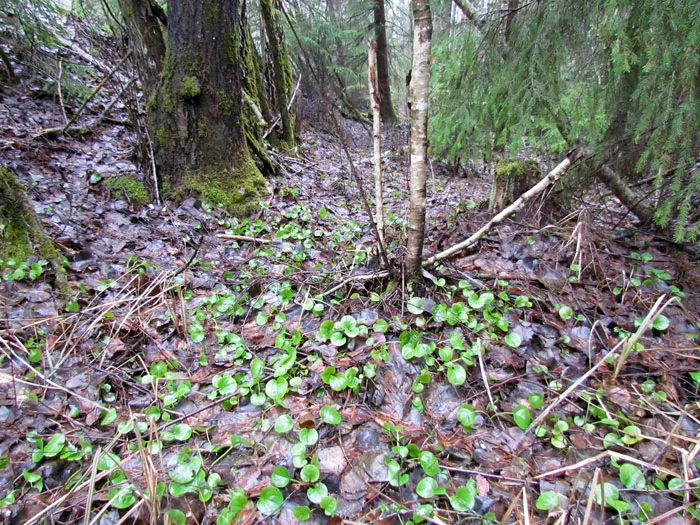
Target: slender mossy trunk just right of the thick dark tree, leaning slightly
281,70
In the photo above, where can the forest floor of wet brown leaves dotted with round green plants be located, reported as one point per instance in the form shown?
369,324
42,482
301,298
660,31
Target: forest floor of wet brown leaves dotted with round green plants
208,369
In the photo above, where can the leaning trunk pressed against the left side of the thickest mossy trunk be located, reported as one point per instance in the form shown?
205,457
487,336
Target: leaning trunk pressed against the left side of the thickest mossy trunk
147,42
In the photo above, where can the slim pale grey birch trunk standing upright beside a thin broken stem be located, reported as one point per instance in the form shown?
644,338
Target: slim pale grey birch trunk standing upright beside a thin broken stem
419,91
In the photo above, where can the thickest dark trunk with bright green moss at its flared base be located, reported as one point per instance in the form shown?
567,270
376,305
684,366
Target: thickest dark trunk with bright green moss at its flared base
196,114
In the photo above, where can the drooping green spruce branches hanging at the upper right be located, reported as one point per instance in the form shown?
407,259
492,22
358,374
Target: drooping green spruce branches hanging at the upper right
621,77
